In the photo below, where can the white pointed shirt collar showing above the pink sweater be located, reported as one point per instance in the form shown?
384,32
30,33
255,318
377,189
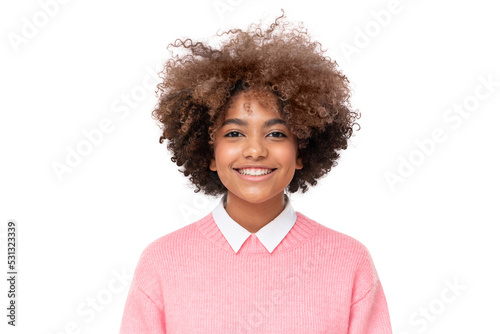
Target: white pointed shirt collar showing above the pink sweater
269,235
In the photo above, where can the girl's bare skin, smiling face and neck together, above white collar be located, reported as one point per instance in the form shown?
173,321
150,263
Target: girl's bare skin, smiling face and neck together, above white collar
255,157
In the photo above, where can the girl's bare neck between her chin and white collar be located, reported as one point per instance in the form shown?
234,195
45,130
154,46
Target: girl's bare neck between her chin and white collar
254,216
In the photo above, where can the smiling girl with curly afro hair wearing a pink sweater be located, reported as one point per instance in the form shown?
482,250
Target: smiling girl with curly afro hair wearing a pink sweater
264,114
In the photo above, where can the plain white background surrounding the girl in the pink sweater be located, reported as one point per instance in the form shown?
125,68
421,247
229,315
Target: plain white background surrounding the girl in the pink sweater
79,231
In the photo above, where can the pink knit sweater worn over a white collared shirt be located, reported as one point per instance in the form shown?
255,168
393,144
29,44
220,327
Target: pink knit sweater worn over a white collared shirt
316,280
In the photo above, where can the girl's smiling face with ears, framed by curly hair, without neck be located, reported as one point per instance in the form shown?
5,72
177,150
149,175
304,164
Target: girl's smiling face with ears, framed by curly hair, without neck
255,142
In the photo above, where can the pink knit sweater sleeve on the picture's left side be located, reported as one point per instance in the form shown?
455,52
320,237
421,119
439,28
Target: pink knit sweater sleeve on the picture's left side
143,311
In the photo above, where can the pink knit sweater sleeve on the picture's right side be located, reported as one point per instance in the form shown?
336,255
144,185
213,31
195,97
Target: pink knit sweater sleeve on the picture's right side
369,312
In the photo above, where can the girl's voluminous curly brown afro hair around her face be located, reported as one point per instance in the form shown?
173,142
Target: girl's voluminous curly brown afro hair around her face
282,62
